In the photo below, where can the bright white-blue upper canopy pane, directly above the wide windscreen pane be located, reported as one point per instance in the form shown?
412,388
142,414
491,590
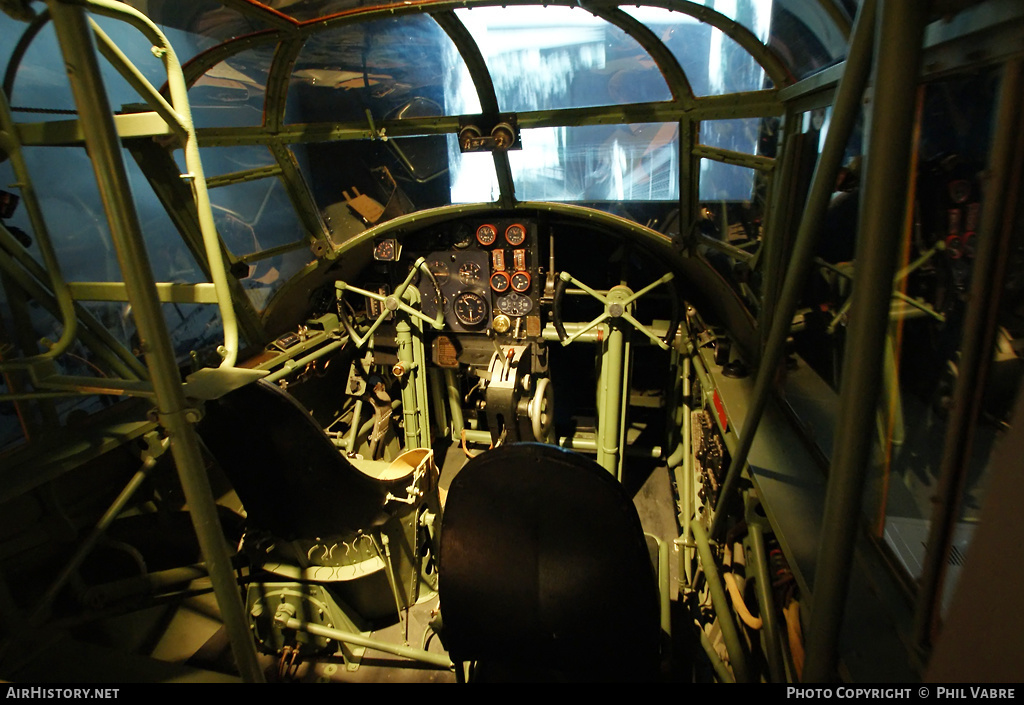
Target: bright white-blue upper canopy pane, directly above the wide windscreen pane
550,58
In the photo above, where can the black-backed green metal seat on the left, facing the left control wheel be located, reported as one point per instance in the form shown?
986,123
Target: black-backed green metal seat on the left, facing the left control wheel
316,518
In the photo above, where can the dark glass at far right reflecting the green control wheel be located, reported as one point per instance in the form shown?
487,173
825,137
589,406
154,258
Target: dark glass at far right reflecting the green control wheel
928,334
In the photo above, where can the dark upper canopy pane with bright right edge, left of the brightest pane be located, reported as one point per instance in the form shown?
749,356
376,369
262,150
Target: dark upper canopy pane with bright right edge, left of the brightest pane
398,68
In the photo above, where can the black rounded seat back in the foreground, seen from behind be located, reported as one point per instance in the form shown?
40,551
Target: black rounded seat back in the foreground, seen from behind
544,571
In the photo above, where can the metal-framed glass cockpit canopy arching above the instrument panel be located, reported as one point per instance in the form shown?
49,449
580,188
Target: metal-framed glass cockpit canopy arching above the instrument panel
319,121
